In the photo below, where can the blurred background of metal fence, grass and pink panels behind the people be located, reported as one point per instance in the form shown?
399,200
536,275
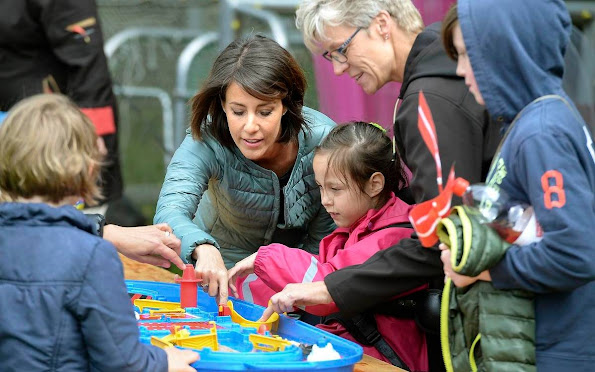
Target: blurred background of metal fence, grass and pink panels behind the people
160,52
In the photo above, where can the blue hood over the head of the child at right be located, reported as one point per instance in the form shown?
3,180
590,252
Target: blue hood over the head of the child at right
512,62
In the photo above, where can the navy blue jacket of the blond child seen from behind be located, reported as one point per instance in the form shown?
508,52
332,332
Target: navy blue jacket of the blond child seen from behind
63,302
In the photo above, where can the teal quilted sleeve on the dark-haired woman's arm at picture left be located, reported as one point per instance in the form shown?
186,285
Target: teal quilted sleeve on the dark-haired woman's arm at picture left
186,180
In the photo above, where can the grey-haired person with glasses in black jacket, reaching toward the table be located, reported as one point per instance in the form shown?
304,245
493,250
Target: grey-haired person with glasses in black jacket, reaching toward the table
376,42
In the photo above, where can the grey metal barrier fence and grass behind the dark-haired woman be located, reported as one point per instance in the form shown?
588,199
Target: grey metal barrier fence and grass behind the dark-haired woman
159,53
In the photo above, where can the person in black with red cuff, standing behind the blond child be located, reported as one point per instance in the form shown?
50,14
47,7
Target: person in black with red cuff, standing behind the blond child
57,47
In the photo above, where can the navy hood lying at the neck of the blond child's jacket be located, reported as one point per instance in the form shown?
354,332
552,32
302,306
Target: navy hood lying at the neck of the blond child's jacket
33,214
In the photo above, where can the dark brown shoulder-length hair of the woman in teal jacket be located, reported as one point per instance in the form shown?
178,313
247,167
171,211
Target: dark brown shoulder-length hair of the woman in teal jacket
264,70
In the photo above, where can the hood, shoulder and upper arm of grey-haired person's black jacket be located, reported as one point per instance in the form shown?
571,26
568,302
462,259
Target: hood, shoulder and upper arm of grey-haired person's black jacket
466,138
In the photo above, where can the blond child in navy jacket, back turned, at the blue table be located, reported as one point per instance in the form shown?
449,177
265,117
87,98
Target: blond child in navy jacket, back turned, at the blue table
64,303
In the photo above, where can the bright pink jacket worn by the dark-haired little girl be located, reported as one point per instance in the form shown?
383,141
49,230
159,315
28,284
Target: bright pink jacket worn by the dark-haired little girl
277,265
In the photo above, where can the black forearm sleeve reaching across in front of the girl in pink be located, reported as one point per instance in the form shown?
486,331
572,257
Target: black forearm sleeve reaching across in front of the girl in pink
392,271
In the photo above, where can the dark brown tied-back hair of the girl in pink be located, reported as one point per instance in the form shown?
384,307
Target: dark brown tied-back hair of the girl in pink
357,150
